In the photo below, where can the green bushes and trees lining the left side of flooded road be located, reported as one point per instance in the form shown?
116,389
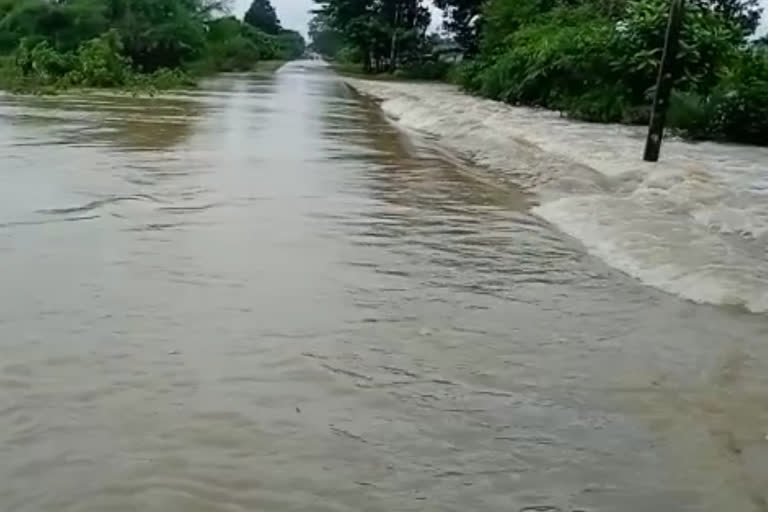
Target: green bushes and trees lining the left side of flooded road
133,43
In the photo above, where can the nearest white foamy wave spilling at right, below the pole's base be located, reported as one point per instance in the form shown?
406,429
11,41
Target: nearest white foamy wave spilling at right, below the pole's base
663,251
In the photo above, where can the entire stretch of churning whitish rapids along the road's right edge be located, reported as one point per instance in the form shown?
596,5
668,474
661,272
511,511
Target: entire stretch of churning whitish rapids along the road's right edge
695,224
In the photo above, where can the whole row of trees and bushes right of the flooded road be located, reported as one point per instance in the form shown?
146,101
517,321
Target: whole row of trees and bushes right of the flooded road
595,60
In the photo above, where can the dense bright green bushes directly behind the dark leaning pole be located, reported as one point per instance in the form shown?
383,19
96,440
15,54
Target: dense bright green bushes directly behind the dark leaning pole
598,61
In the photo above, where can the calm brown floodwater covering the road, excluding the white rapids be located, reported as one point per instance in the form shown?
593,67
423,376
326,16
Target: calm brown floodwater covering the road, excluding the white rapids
262,296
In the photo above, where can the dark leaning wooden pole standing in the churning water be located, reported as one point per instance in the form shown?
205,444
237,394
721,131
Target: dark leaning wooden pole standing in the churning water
667,75
